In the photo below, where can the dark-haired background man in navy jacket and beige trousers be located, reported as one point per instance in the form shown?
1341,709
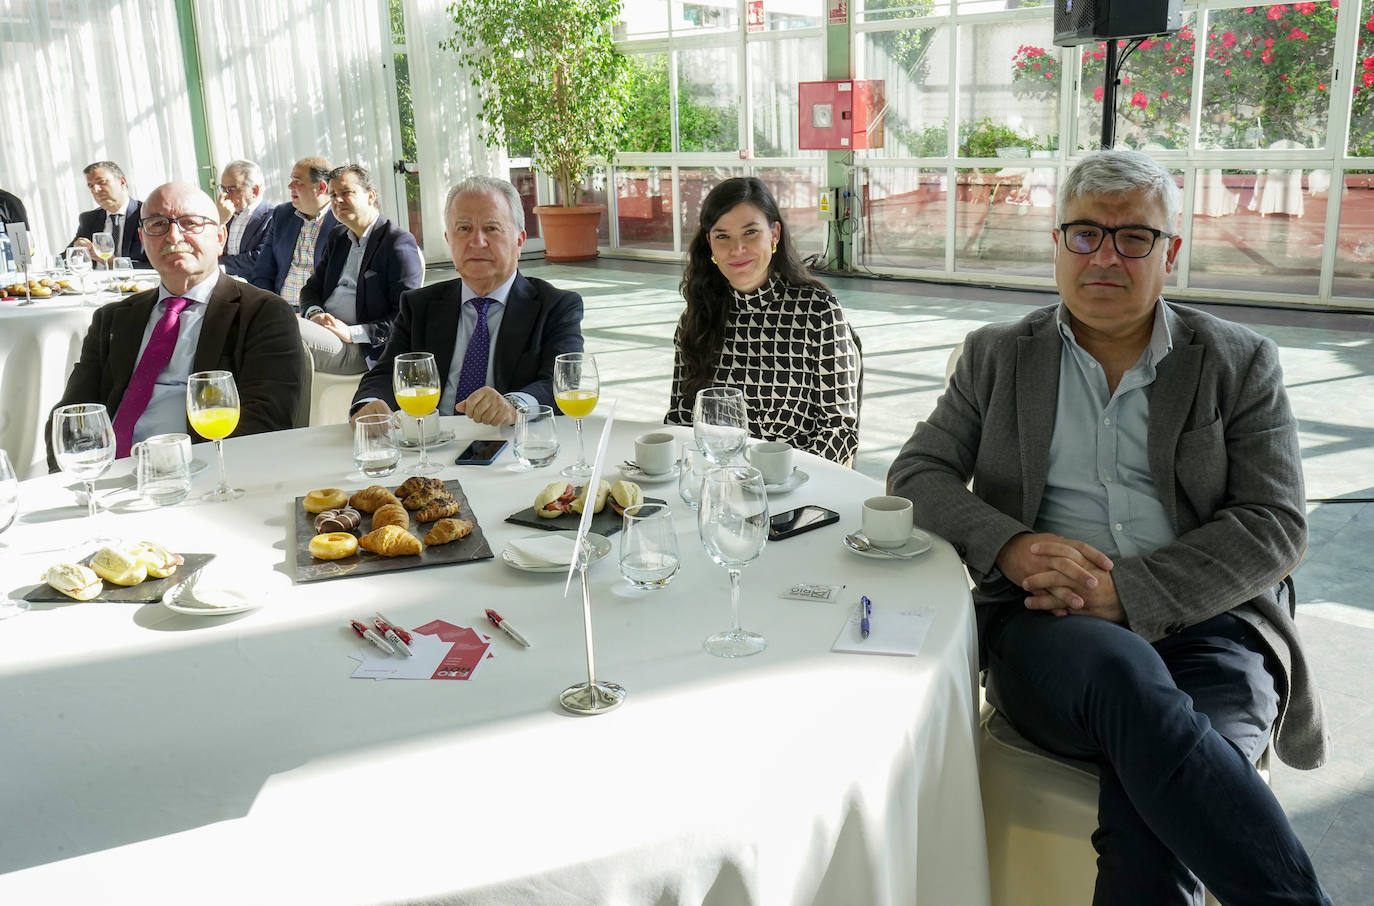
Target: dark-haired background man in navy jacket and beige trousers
352,299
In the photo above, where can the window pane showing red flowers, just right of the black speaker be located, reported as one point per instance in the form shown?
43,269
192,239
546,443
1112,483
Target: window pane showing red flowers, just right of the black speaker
1268,75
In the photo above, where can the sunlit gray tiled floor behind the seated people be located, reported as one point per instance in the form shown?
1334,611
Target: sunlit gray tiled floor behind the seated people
909,331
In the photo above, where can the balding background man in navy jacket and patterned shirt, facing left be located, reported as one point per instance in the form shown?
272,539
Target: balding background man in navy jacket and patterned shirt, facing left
296,233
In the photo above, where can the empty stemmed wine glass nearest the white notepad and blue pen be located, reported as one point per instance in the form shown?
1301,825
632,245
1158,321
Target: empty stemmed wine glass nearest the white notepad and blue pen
733,519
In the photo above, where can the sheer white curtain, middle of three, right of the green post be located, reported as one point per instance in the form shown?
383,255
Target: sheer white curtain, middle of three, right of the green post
292,80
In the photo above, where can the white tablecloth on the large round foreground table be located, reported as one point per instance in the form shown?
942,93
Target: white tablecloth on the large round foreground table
155,758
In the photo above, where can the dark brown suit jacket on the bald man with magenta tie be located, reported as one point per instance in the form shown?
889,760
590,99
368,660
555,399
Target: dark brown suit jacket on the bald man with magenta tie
247,331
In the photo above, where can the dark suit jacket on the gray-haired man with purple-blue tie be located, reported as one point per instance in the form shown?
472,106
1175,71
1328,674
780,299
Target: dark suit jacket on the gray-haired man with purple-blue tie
539,324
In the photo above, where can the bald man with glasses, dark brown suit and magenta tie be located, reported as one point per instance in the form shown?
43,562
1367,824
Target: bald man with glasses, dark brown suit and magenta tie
139,351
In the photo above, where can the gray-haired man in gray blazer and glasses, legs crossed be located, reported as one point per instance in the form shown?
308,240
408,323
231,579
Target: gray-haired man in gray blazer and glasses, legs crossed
1136,509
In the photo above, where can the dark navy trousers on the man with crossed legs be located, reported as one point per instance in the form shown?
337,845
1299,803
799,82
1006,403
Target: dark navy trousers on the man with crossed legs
1175,728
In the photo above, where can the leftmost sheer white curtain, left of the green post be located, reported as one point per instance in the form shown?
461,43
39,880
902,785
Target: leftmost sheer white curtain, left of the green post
83,82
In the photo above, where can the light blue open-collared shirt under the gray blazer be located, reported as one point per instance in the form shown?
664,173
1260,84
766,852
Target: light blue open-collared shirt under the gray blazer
1100,489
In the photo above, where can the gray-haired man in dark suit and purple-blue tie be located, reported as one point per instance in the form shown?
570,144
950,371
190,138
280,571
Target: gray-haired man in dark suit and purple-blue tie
494,332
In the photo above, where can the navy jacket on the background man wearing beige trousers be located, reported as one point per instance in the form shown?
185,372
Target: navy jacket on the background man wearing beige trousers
391,266
